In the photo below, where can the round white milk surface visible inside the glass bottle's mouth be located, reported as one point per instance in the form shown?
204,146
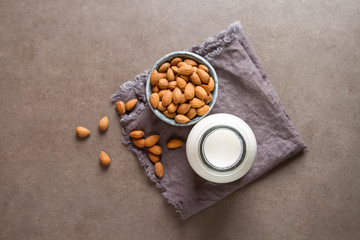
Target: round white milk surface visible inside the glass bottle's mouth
222,148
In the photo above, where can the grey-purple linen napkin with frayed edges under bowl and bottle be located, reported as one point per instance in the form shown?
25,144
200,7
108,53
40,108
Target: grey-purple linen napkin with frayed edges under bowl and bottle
244,91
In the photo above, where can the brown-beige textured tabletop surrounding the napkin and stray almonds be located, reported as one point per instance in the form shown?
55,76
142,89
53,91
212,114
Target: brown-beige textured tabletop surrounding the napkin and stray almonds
61,60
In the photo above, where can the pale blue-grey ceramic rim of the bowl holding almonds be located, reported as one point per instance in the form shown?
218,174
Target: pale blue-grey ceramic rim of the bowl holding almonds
182,54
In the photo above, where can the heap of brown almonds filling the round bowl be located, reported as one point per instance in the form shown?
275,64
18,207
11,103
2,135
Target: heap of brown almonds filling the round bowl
181,89
